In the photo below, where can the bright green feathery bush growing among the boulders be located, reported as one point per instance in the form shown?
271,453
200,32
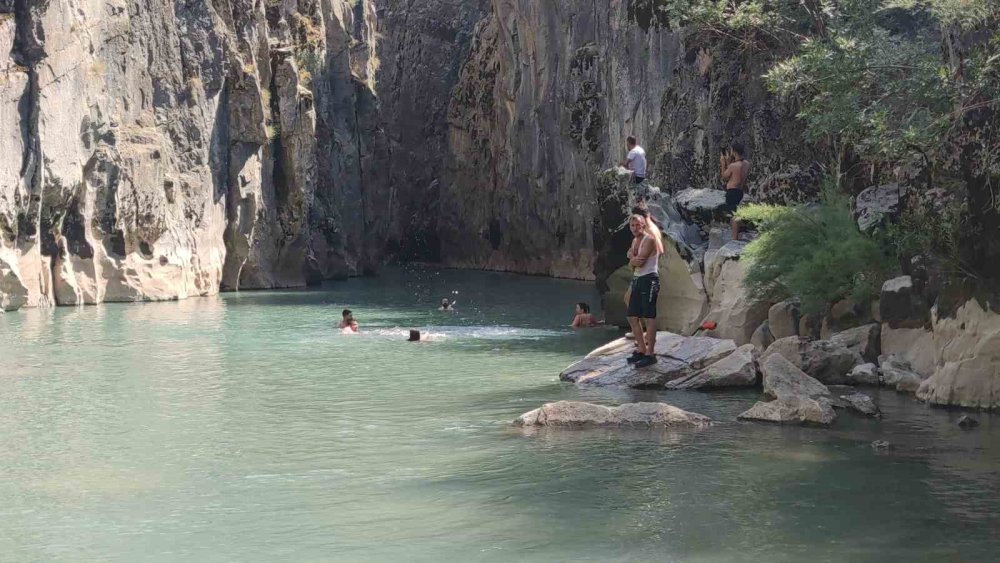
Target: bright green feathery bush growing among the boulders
815,253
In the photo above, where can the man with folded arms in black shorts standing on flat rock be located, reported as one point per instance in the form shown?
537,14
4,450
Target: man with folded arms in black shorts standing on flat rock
645,289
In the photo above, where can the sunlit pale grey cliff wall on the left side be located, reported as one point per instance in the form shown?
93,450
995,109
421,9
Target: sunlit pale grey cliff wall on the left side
159,149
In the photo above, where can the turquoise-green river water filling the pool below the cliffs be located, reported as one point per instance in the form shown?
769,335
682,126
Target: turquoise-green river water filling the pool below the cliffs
245,427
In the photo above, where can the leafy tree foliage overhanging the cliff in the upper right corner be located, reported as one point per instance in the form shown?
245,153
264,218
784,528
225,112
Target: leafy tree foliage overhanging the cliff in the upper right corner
904,91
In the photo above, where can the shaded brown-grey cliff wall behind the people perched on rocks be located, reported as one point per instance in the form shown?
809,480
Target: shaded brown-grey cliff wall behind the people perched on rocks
549,93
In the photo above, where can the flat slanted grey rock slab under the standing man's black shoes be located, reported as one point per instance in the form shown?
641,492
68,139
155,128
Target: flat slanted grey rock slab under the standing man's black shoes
677,356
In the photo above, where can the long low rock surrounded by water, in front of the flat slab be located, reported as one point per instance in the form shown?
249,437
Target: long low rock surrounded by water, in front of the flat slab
572,413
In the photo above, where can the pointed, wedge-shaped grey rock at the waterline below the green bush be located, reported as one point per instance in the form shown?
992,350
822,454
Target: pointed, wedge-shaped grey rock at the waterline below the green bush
797,398
